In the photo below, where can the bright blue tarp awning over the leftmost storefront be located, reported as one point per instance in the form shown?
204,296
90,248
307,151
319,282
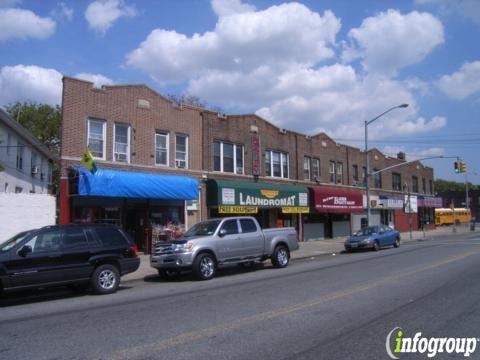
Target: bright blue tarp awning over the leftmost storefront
130,184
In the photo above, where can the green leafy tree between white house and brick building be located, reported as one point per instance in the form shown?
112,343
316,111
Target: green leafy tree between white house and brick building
43,121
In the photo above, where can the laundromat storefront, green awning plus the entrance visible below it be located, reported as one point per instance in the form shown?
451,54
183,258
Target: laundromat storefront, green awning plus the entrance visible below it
272,204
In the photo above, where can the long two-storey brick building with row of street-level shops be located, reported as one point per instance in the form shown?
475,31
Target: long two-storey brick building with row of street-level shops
242,164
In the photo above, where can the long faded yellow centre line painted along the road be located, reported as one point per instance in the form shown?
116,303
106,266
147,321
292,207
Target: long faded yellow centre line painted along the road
138,352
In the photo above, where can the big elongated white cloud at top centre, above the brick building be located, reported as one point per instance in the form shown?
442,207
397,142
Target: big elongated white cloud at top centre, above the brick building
241,42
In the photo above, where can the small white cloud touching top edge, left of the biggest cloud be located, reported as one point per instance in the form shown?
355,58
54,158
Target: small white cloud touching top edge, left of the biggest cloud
101,14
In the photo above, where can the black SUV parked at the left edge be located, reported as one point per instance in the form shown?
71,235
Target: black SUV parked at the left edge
74,254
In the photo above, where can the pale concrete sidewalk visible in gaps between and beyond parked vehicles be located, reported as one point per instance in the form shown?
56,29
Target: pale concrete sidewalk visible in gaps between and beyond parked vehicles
310,249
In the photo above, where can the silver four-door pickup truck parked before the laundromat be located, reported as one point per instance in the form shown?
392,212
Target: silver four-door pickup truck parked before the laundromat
231,240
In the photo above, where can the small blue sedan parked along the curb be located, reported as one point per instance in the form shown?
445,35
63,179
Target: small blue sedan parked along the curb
373,237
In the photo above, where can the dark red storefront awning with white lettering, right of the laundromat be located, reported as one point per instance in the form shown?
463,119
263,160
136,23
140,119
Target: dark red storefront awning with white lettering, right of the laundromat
329,200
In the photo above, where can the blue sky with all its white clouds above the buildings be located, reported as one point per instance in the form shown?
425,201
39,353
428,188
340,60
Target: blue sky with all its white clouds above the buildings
308,66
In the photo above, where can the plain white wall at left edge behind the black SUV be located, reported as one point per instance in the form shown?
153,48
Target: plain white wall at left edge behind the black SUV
20,212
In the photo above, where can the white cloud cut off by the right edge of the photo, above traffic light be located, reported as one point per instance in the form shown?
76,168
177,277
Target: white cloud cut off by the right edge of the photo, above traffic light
462,83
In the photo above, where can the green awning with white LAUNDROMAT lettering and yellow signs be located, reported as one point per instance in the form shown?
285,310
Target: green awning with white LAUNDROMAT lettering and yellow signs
247,197
